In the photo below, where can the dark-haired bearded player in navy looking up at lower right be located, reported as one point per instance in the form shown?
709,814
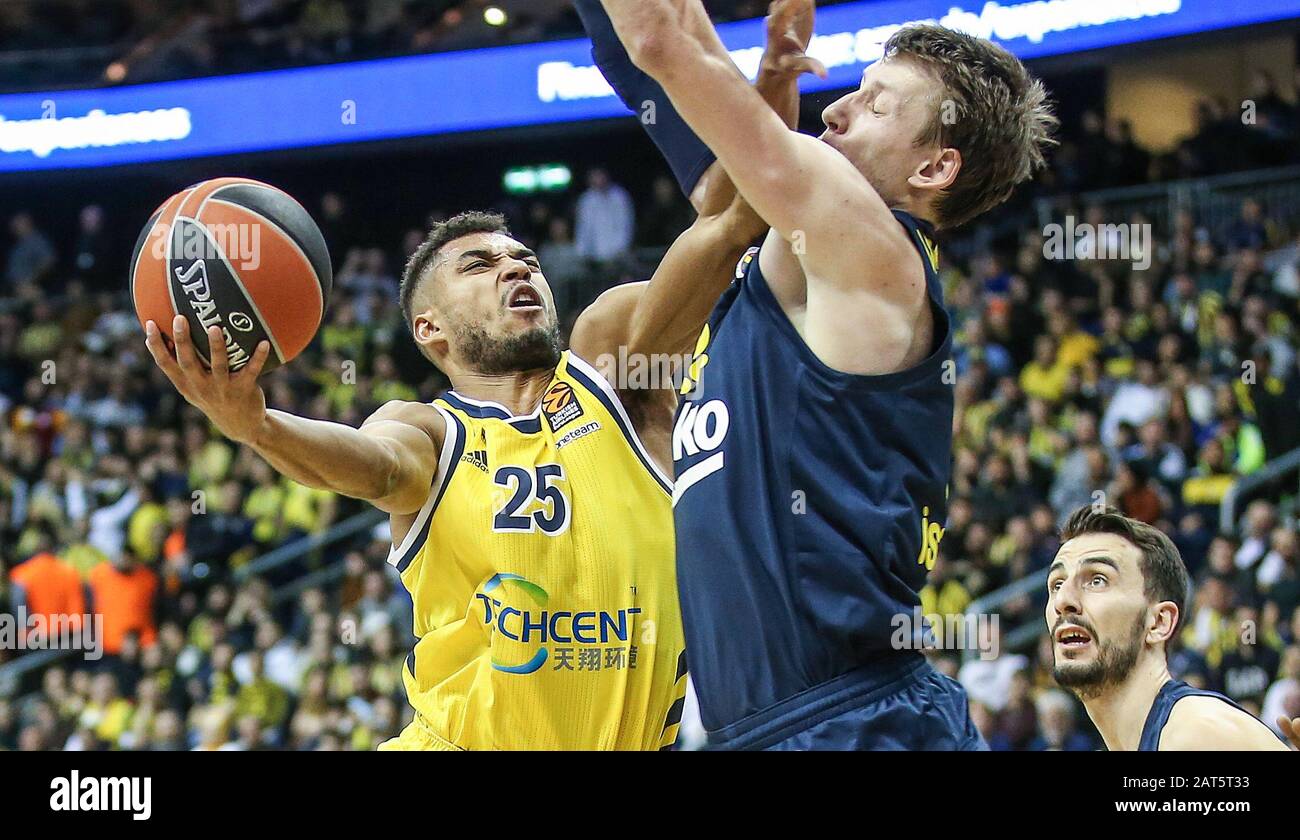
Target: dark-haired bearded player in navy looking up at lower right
1116,597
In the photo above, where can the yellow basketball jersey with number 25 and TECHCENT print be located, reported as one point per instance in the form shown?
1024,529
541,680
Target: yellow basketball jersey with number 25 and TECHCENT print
543,575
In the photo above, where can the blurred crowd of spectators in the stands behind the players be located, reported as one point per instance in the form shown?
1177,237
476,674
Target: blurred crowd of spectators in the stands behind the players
1156,388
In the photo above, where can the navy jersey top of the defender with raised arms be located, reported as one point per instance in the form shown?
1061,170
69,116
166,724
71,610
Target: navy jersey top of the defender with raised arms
809,504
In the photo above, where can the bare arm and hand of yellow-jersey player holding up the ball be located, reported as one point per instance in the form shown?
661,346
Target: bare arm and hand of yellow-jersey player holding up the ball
388,462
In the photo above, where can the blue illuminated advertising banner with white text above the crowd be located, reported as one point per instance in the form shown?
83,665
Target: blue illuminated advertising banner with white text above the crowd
525,85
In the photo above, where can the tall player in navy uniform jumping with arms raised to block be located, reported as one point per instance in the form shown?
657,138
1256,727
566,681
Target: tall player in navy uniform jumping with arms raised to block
813,448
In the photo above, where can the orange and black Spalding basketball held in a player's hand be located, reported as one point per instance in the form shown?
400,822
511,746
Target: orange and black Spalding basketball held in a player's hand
240,256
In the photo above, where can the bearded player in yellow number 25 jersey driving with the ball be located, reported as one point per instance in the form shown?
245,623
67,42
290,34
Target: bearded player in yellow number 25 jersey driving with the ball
530,505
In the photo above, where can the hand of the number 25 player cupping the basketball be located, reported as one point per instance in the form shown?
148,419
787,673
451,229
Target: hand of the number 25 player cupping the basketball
235,402
